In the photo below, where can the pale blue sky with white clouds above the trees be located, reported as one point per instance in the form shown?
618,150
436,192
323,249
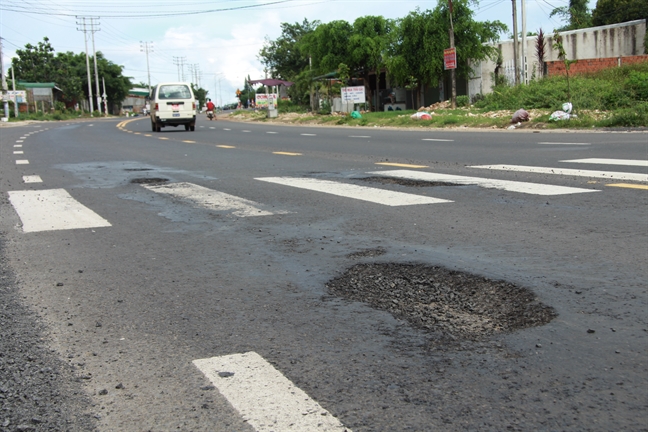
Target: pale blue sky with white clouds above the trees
219,38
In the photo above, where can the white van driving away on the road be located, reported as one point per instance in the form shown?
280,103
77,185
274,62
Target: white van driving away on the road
172,104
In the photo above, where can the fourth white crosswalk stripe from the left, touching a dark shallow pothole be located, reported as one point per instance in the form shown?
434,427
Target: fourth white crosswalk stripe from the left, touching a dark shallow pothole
512,186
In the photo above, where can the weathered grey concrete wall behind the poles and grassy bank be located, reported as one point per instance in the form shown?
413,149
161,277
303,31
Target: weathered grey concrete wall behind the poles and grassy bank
611,41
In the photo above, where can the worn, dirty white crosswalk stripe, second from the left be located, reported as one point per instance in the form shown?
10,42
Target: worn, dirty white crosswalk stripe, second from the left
211,199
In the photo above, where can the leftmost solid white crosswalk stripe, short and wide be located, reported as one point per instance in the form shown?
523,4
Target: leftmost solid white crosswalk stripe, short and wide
53,209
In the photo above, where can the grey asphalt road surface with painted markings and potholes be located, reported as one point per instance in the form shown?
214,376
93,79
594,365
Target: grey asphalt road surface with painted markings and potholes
252,276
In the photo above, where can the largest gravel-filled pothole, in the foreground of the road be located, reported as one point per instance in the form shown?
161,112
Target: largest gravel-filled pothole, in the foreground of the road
436,299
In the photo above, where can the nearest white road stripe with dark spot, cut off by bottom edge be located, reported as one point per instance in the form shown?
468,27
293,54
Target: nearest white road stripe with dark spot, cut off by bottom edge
265,398
